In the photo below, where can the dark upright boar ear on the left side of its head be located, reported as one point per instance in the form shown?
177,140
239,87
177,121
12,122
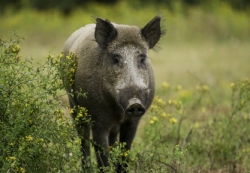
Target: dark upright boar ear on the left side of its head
105,32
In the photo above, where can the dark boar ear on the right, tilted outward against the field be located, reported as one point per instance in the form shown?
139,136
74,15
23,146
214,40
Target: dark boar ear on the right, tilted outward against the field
152,31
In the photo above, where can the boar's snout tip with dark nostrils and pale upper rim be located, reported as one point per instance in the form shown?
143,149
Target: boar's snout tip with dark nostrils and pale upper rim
135,108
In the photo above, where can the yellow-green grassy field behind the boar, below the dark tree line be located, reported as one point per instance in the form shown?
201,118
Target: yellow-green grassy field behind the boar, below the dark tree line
203,52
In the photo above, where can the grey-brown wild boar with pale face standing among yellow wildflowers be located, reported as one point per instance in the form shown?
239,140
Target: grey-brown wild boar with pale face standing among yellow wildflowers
116,73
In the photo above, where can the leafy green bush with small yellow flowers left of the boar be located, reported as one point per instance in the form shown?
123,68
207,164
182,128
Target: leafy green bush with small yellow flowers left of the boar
36,136
